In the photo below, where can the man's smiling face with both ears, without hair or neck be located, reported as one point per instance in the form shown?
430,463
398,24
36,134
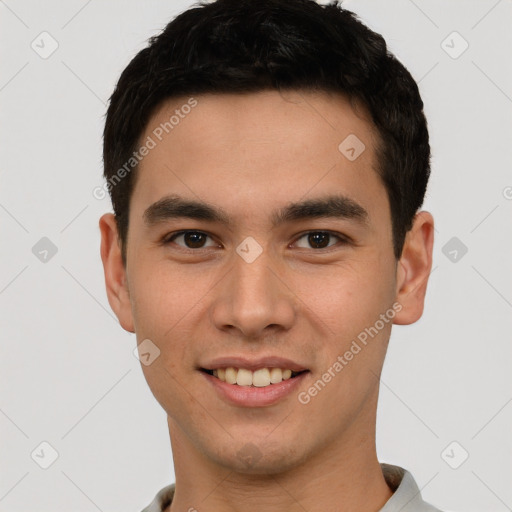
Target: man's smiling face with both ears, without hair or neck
287,262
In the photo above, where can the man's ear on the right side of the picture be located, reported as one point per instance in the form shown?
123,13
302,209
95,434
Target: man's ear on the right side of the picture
414,268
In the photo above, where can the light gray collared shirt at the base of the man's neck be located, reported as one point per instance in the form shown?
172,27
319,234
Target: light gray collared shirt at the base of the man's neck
406,495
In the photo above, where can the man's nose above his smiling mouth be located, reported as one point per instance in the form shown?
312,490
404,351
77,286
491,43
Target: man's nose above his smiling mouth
254,300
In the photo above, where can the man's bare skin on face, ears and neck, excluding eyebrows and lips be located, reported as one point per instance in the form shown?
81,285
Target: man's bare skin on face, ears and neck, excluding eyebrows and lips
251,154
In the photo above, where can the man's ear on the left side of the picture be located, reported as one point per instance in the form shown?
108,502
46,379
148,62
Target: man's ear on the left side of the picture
115,272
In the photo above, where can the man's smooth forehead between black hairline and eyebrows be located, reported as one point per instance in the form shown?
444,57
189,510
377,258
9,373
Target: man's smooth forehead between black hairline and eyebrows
266,147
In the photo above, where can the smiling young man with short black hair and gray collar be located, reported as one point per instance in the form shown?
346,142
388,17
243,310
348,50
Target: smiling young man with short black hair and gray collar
266,163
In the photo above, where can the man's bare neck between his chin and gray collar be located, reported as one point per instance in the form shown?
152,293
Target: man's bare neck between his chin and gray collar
344,477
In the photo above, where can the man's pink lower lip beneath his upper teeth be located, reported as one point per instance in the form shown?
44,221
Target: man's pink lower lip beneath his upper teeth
250,396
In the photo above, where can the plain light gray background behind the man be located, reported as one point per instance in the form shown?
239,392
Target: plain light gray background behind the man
68,375
